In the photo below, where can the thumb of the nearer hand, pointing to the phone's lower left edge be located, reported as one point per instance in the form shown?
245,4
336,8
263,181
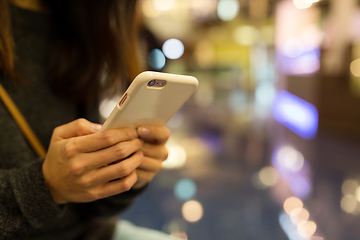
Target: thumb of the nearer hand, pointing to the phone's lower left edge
79,127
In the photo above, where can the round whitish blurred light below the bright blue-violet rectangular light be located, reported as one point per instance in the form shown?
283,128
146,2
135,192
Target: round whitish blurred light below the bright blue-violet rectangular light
290,158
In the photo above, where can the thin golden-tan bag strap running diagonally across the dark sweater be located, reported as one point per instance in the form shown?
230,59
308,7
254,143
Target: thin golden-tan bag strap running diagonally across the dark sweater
22,123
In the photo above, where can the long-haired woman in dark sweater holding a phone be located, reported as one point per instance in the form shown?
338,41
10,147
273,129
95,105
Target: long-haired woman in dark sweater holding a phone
57,58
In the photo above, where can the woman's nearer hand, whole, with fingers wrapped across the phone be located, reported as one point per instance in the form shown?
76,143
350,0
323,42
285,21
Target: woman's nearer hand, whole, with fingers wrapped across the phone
76,165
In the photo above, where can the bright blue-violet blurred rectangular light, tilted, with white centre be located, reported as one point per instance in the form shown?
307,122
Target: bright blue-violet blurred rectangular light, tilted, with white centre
298,115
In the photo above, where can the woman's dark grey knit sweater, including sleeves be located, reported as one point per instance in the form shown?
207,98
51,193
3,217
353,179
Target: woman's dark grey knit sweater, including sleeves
27,210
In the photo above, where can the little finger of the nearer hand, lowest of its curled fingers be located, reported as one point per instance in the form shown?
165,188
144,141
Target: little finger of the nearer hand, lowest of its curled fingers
119,186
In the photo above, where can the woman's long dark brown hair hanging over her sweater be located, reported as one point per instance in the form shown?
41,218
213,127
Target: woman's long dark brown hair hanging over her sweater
91,39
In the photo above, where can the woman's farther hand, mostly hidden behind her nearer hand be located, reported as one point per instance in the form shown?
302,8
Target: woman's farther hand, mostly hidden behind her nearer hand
154,151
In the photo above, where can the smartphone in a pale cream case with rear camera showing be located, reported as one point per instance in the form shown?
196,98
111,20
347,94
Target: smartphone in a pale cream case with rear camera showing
151,99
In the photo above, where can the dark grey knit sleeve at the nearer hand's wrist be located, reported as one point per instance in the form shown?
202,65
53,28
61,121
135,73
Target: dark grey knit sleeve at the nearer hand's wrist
25,201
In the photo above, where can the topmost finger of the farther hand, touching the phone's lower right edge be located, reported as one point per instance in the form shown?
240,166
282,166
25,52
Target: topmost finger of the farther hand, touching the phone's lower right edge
157,134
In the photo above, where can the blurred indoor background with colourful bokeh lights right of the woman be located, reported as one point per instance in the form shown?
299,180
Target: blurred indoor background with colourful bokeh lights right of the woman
268,146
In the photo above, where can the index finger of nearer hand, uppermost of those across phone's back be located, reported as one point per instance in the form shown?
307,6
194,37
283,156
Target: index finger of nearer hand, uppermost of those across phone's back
102,140
